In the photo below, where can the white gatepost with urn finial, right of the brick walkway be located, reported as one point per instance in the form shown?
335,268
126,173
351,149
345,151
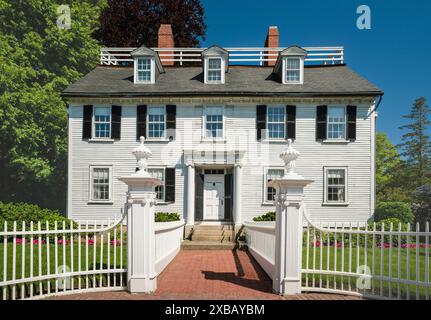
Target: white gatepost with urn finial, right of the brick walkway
288,226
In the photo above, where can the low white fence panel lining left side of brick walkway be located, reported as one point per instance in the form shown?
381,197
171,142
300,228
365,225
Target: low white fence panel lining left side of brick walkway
168,241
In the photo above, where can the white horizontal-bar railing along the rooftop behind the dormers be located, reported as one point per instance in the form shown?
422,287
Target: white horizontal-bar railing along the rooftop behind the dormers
252,55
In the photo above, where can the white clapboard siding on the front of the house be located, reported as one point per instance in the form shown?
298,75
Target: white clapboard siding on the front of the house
240,134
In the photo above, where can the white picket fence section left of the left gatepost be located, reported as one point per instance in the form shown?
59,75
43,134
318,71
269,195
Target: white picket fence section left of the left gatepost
40,260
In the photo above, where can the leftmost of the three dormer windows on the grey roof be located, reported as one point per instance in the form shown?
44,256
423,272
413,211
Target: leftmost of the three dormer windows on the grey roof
147,65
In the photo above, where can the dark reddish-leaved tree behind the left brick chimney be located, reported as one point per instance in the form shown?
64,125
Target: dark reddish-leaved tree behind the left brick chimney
132,23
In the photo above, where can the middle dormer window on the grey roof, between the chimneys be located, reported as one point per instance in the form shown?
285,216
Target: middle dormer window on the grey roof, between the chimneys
215,65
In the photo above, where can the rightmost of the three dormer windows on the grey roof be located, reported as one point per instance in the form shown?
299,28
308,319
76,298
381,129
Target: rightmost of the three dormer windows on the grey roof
290,65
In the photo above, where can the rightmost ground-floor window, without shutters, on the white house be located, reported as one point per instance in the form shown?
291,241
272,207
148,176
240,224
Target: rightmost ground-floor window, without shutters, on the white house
336,185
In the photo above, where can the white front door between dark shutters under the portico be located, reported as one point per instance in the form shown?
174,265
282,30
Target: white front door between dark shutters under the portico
213,197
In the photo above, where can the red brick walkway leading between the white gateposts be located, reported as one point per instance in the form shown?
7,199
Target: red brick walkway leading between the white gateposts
212,274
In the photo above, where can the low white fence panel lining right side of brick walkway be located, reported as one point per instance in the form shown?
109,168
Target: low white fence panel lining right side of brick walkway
261,244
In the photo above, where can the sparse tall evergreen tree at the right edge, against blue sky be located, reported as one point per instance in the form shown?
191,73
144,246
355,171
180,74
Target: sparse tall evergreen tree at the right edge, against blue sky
416,145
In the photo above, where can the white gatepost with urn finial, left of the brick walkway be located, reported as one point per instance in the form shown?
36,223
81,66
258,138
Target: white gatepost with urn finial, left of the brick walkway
141,199
